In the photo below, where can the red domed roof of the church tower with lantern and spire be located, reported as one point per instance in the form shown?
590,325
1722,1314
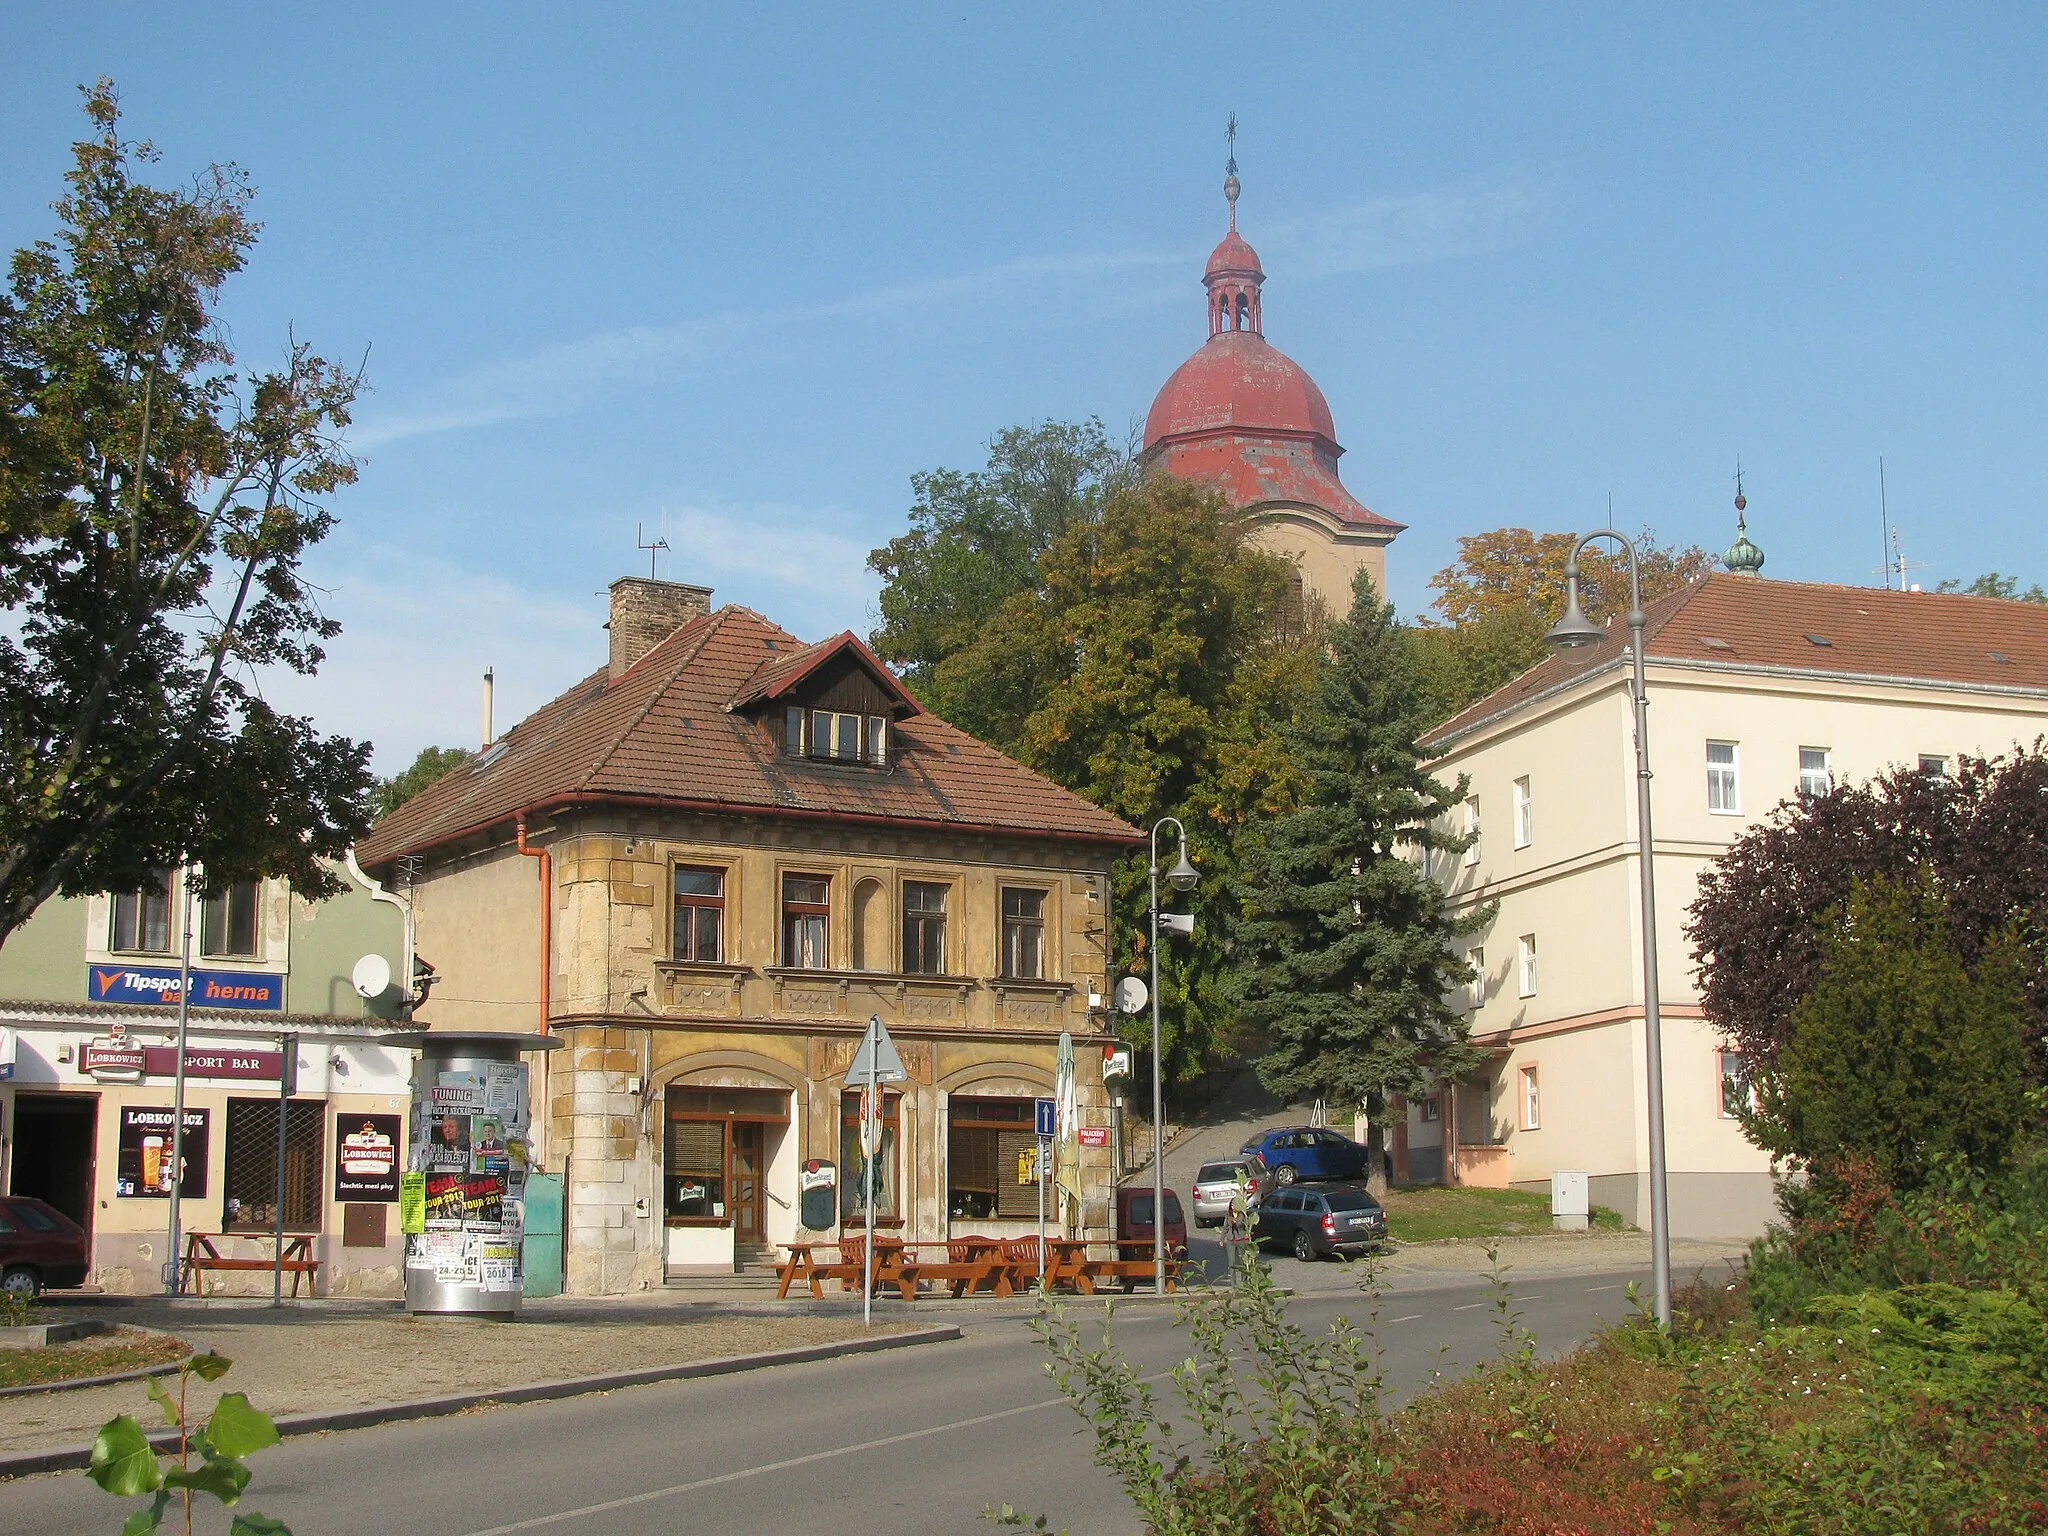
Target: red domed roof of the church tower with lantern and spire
1242,413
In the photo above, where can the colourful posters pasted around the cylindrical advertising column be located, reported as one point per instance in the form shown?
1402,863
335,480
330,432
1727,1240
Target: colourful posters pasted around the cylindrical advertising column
466,1203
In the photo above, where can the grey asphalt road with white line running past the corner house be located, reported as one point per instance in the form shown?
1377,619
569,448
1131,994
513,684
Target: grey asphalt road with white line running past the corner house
914,1441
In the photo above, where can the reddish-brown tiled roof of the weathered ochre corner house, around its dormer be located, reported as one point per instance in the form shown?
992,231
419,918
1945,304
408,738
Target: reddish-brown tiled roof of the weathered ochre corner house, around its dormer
669,734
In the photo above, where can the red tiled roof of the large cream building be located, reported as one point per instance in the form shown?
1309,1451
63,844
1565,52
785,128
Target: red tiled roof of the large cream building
1789,628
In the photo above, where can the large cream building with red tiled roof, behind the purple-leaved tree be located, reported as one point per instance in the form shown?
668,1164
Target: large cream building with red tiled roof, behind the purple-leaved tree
1760,691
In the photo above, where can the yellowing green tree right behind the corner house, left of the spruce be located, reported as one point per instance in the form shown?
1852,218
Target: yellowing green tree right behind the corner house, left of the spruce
1150,673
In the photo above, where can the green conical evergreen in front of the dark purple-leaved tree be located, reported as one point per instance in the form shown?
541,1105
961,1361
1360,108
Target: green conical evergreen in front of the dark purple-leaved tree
1902,1056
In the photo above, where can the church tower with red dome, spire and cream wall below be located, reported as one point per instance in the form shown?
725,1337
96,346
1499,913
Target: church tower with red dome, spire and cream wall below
1250,421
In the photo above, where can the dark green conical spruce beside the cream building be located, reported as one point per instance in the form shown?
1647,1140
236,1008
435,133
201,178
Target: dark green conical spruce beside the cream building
1347,945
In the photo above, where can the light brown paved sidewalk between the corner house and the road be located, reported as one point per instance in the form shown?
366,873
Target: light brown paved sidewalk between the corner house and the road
331,1357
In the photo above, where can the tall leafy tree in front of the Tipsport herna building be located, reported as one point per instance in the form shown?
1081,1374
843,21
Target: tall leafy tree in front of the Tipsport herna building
155,513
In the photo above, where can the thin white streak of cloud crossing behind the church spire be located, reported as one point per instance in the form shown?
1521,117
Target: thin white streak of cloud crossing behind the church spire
1361,237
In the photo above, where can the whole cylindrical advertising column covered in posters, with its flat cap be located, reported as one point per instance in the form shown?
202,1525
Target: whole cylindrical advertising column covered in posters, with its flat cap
464,1195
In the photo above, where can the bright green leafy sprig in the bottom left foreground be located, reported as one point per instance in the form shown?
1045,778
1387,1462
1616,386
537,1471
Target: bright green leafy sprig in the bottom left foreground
126,1465
